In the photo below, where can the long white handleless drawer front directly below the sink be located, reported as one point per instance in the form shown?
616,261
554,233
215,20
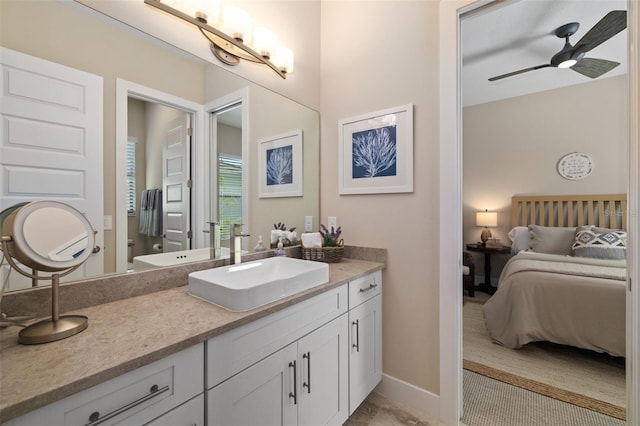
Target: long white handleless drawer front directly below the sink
242,347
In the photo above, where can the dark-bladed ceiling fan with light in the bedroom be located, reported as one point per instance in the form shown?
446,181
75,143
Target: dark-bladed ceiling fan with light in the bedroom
573,56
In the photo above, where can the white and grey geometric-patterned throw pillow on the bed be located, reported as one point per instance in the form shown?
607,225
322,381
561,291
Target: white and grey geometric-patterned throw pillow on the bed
608,245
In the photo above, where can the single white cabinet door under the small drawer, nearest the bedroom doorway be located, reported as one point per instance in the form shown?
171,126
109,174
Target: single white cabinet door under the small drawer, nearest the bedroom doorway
365,353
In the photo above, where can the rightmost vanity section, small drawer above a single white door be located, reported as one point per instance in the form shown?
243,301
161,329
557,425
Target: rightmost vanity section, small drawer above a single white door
365,337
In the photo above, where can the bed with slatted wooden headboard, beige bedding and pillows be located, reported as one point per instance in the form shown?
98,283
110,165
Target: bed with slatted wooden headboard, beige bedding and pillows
566,280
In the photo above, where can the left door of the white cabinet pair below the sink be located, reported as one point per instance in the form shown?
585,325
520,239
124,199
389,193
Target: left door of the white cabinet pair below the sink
263,394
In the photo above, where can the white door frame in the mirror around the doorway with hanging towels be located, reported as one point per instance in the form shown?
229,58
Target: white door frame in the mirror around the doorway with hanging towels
124,90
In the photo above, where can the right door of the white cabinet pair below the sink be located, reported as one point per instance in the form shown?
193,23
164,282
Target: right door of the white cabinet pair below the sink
323,381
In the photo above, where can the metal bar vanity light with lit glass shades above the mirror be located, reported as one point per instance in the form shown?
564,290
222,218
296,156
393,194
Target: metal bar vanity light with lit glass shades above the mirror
236,39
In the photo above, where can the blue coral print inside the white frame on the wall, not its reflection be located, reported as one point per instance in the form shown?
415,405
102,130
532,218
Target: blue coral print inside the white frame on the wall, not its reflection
374,152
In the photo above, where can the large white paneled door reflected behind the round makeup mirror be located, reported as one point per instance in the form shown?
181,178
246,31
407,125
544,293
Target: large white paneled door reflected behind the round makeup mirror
51,146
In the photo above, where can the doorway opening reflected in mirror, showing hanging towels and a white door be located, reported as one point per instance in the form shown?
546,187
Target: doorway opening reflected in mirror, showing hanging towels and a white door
158,178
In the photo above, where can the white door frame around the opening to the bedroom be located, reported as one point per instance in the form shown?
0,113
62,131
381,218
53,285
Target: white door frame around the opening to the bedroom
451,210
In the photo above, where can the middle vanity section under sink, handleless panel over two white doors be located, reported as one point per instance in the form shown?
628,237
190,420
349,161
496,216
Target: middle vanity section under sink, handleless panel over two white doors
287,368
